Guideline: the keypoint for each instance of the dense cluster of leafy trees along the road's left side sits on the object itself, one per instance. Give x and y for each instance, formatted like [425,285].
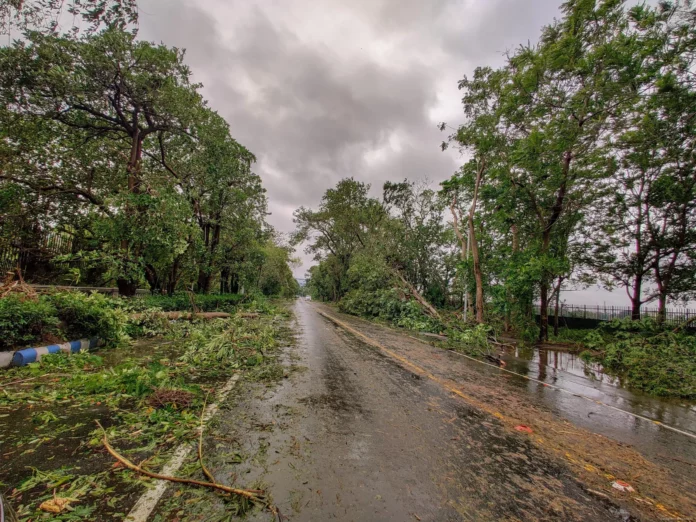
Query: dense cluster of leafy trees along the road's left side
[105,141]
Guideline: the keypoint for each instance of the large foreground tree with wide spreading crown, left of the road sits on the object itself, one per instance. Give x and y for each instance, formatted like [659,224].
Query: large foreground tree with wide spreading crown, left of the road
[107,89]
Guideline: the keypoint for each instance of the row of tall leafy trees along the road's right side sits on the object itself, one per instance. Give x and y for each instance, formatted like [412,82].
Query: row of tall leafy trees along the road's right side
[581,166]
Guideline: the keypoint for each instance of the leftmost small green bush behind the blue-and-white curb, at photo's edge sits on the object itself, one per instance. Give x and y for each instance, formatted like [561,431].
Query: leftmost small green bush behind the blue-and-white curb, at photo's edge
[25,321]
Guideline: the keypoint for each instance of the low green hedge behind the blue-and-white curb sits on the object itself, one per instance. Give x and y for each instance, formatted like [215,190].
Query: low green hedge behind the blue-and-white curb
[63,316]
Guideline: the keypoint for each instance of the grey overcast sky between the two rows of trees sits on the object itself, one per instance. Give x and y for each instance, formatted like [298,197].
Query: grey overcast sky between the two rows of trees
[322,91]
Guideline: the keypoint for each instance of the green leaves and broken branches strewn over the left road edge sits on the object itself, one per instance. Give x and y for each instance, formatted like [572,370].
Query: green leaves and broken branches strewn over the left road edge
[148,406]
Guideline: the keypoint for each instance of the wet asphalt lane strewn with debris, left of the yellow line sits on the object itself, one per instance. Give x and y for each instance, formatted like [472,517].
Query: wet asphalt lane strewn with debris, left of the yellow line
[359,438]
